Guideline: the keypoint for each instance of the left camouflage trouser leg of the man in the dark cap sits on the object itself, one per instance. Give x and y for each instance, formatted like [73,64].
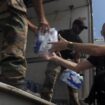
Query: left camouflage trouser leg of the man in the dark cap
[52,71]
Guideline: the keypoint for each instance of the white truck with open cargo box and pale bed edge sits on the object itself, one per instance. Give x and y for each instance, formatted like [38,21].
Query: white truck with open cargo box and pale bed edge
[61,14]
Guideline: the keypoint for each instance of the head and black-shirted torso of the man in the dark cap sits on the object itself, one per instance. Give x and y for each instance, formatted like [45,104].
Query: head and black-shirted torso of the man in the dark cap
[73,35]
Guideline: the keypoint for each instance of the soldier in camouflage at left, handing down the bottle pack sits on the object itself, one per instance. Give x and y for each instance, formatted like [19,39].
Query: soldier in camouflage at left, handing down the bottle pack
[14,27]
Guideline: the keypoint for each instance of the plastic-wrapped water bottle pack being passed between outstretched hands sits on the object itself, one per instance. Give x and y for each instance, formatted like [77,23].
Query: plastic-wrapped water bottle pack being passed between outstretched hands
[42,45]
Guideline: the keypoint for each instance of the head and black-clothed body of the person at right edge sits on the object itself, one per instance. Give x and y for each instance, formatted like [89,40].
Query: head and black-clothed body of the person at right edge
[99,79]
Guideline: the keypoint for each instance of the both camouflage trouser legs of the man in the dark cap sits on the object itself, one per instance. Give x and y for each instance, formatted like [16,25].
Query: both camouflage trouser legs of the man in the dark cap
[52,72]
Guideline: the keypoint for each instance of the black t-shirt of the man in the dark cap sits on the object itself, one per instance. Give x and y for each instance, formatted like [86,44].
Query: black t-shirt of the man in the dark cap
[70,36]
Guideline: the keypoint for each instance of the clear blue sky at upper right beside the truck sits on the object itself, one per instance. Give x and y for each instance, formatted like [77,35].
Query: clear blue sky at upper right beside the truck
[98,16]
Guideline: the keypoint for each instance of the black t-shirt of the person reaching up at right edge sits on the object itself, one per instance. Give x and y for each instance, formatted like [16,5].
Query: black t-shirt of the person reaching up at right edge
[99,63]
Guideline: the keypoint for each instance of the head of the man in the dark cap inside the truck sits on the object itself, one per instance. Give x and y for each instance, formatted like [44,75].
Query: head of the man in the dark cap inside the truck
[78,26]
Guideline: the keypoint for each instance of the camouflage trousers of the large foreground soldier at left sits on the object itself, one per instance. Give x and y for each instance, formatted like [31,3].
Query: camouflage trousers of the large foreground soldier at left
[13,38]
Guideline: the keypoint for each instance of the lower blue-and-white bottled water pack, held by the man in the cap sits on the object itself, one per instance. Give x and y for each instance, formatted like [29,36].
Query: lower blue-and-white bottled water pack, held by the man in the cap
[72,79]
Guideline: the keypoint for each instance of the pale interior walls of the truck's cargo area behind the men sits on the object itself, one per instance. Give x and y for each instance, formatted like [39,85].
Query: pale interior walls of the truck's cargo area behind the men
[60,14]
